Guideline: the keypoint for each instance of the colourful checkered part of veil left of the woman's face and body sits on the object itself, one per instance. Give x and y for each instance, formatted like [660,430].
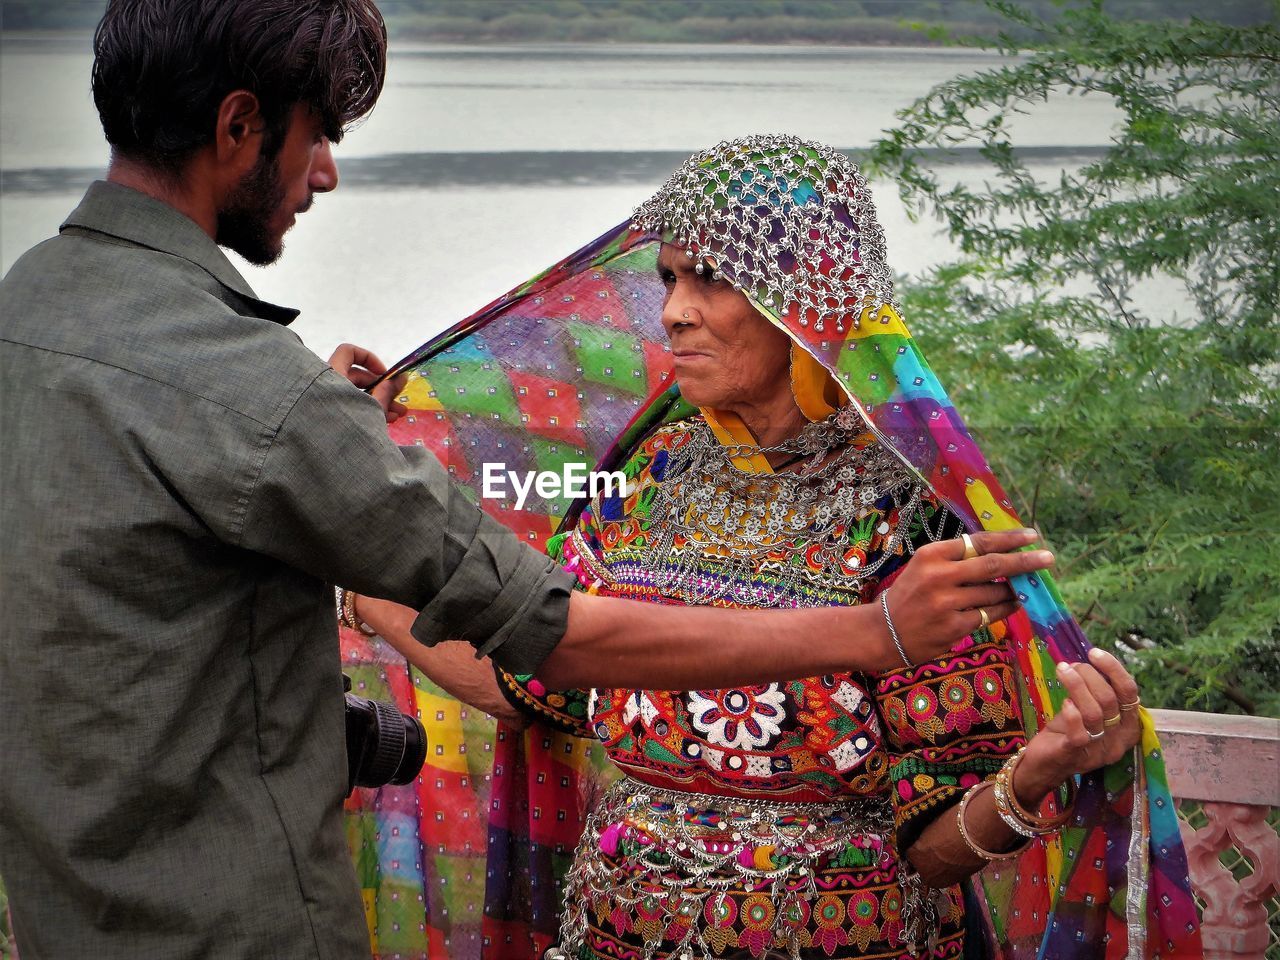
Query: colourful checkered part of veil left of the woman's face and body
[467,862]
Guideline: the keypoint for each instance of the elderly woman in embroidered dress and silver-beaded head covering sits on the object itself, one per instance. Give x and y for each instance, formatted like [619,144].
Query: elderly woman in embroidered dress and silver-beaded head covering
[834,816]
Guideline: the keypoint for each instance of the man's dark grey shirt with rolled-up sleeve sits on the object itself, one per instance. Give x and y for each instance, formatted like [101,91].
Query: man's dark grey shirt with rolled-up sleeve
[181,481]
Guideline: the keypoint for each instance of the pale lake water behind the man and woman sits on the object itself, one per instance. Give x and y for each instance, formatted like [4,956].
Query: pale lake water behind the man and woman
[482,166]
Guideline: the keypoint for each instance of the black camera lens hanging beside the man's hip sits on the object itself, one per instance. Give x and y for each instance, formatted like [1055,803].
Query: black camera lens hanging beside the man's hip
[383,744]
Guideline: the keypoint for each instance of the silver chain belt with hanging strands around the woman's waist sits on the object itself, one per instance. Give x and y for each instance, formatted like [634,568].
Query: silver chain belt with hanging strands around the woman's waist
[653,851]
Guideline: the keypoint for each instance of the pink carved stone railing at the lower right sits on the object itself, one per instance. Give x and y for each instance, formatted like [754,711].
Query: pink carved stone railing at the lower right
[1226,775]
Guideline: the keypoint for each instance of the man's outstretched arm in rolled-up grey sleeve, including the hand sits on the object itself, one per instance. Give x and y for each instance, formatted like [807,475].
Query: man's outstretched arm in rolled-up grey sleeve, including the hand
[424,545]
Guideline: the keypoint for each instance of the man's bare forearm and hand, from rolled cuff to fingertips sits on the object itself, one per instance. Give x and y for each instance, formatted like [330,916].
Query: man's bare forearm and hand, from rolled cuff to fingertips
[612,642]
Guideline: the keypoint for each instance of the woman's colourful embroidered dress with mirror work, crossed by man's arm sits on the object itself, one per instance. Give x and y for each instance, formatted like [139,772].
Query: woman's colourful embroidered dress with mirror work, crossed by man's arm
[771,817]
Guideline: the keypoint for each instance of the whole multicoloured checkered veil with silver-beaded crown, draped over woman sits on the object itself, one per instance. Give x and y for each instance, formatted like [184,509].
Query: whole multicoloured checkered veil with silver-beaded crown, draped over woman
[573,368]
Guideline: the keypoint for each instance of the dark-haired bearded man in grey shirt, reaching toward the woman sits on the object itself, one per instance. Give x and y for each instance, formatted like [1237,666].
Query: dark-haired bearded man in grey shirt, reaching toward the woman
[182,482]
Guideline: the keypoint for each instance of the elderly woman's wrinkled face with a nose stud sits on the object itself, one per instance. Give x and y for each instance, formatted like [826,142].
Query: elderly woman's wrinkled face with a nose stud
[728,356]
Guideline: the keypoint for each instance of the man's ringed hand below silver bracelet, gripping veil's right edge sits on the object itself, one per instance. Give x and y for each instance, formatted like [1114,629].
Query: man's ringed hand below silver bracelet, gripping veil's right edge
[939,597]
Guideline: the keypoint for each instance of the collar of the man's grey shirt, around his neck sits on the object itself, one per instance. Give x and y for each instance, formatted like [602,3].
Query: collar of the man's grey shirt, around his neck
[127,214]
